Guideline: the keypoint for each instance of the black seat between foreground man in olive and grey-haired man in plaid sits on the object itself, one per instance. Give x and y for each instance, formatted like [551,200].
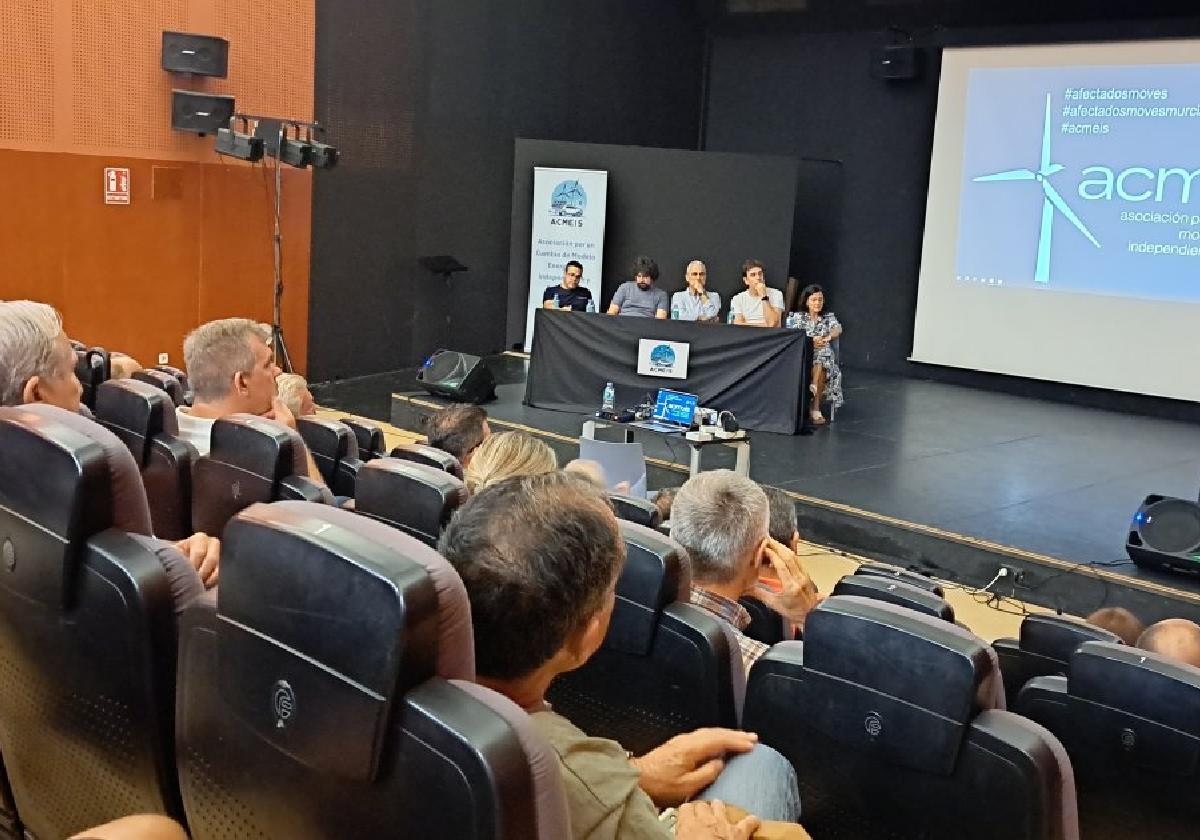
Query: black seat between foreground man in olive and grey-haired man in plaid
[665,667]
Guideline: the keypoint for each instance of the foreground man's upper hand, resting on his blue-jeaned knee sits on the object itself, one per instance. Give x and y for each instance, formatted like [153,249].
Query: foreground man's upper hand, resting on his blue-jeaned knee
[688,764]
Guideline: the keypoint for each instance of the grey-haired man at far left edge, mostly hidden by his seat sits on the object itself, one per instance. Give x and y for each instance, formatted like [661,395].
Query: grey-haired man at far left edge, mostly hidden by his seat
[38,367]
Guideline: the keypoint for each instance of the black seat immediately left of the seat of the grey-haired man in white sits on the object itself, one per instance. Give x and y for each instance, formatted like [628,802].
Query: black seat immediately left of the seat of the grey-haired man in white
[145,419]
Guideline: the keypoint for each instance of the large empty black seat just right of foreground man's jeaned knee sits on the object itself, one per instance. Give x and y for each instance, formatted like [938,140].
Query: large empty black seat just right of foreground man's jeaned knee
[890,718]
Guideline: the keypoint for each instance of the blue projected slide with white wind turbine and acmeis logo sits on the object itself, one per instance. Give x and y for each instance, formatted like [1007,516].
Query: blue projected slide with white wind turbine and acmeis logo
[1079,179]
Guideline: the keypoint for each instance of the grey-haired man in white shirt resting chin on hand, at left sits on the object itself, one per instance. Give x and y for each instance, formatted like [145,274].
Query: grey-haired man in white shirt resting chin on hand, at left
[231,370]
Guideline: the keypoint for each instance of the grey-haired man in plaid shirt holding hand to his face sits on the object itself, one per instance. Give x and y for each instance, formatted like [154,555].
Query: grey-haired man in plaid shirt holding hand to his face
[722,519]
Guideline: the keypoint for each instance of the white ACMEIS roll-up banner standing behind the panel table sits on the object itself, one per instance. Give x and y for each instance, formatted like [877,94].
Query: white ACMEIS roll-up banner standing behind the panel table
[568,224]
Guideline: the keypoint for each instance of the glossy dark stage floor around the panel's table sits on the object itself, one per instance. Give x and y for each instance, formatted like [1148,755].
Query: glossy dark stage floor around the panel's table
[1040,477]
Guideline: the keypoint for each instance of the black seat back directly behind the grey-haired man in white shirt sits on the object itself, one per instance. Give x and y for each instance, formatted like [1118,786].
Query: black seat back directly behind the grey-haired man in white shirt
[251,460]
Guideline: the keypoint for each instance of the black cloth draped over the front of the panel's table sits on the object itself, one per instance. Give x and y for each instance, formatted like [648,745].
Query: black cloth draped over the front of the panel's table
[760,375]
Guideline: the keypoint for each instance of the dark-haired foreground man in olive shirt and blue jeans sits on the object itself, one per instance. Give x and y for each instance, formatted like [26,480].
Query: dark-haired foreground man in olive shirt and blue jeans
[542,597]
